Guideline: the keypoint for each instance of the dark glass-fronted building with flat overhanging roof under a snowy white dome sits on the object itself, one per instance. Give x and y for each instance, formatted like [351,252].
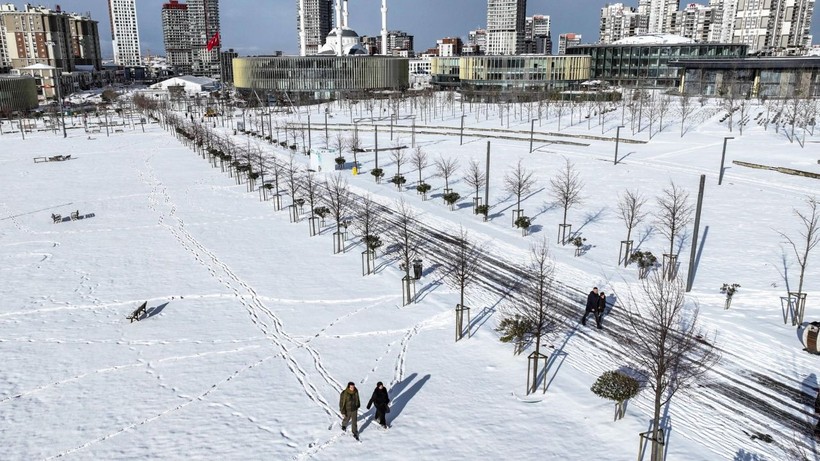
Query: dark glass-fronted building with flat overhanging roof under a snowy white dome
[647,65]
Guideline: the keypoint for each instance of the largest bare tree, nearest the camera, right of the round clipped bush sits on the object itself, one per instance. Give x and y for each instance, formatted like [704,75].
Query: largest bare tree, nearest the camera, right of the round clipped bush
[665,342]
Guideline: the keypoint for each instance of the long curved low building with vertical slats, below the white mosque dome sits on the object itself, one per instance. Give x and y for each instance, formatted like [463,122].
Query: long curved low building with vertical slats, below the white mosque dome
[308,78]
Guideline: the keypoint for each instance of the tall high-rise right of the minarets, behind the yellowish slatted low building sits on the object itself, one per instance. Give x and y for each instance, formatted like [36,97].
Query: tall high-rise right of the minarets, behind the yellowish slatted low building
[505,26]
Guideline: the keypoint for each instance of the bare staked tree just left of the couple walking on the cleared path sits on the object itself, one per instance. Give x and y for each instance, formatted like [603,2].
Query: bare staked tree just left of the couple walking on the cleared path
[532,313]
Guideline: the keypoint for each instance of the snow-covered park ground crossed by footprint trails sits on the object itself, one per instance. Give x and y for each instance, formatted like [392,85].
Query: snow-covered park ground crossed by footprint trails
[254,327]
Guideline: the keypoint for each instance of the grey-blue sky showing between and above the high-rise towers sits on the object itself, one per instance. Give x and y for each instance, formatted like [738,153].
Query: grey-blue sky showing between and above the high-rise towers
[264,26]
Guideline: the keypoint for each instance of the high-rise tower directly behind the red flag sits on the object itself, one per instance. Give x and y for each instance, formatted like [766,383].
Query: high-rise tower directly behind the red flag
[203,19]
